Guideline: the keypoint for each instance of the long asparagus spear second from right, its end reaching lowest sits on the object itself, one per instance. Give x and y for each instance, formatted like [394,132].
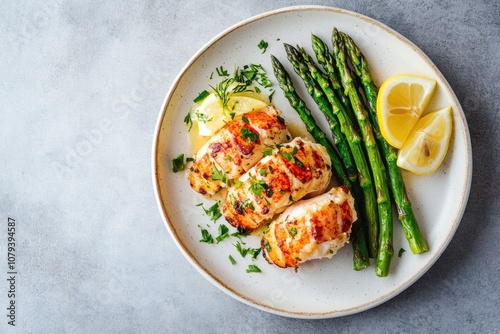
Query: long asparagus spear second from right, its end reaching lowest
[385,251]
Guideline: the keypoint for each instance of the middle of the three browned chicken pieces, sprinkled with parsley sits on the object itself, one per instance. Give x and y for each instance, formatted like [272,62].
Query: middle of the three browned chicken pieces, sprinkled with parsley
[291,172]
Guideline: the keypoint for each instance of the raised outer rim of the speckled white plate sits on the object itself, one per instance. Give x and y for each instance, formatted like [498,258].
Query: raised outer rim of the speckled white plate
[246,299]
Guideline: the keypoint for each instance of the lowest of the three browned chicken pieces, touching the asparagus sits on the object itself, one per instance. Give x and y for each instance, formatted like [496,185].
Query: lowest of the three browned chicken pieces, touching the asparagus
[310,229]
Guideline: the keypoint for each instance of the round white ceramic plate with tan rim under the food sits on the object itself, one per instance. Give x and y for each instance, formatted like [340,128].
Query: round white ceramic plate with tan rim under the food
[324,288]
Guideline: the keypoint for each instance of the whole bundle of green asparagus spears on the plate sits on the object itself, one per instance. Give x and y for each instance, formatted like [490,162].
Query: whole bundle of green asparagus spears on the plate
[361,158]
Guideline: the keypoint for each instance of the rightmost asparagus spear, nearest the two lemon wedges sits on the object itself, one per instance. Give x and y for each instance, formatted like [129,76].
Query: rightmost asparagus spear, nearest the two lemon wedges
[405,213]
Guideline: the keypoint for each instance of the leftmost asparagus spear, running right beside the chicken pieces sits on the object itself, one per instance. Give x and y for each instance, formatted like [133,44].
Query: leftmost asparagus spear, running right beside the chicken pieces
[360,256]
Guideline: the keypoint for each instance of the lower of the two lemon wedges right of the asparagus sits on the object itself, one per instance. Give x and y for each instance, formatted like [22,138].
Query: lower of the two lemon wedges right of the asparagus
[425,149]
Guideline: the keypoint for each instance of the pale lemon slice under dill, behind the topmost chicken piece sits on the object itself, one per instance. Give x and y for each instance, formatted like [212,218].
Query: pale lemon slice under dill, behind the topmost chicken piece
[211,116]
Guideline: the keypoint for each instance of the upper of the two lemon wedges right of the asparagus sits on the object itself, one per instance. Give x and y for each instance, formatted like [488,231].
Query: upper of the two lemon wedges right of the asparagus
[401,100]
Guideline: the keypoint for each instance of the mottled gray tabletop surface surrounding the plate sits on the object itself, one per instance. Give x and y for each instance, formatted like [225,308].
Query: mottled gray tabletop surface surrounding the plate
[81,84]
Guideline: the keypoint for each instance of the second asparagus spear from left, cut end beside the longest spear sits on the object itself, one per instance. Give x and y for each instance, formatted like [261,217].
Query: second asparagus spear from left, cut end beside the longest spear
[312,76]
